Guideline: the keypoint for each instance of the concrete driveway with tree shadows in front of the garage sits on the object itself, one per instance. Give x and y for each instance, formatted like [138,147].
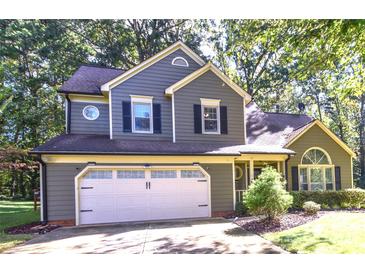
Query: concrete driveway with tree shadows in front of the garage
[203,236]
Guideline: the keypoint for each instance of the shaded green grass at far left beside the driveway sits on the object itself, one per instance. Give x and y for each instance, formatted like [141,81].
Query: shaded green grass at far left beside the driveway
[13,213]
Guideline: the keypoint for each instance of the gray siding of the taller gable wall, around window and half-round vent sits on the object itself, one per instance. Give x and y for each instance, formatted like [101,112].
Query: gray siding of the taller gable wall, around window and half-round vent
[151,82]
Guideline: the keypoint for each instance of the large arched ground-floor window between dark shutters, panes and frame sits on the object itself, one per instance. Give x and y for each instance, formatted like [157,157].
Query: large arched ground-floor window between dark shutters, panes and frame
[316,171]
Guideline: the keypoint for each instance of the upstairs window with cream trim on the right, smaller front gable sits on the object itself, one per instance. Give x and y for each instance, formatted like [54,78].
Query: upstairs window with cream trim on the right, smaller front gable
[210,116]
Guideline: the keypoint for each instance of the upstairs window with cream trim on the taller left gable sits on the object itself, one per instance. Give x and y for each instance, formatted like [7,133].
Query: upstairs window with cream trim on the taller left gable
[142,120]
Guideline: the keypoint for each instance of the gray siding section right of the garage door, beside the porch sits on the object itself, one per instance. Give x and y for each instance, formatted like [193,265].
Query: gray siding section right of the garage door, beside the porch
[221,186]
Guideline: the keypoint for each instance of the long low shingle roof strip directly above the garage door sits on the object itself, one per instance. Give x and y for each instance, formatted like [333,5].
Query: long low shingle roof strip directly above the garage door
[101,144]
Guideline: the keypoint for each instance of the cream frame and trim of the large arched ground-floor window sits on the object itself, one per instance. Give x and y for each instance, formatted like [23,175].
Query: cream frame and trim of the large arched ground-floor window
[323,167]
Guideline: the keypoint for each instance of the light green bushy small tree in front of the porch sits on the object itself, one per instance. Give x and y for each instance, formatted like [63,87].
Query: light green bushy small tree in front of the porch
[267,195]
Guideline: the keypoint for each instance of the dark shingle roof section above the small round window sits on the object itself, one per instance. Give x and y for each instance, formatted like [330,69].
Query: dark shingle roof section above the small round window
[89,79]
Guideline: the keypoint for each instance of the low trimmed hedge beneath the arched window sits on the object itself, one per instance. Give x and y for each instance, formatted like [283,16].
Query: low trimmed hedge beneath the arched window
[349,198]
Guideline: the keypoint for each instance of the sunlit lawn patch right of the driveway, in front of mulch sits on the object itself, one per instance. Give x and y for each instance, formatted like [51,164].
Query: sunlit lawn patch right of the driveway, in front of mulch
[337,232]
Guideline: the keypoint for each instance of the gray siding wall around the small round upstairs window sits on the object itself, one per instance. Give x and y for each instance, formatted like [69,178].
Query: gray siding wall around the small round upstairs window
[80,125]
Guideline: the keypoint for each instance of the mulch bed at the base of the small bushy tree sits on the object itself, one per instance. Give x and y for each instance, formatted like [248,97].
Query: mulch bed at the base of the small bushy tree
[260,226]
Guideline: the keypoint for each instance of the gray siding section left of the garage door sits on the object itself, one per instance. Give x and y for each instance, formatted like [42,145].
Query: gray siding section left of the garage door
[61,190]
